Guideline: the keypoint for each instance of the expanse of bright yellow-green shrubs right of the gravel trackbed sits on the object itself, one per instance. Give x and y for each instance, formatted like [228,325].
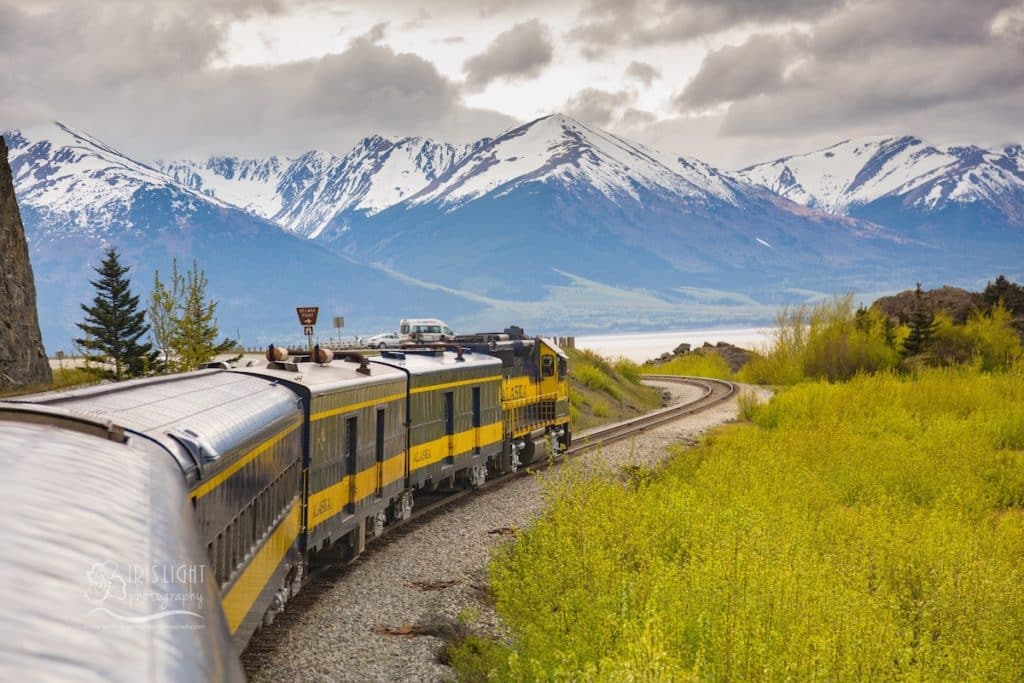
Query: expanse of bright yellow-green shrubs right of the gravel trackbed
[867,531]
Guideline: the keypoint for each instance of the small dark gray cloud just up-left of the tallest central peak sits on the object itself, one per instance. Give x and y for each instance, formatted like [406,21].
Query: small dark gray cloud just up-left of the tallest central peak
[523,52]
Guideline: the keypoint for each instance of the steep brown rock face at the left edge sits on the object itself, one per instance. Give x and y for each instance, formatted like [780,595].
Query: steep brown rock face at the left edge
[23,360]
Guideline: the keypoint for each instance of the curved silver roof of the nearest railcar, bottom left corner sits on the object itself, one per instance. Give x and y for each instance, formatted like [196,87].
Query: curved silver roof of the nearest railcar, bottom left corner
[96,534]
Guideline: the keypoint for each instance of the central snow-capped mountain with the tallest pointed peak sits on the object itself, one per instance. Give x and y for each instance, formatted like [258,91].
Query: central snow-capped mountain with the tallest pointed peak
[558,194]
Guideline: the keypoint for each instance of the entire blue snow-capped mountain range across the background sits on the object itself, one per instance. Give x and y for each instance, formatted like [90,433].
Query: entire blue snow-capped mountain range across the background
[553,225]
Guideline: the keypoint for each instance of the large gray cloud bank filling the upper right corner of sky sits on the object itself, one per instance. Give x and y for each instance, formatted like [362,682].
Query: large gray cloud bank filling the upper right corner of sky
[900,67]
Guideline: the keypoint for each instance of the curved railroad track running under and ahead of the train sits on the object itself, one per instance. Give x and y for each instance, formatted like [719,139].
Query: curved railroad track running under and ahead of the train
[324,576]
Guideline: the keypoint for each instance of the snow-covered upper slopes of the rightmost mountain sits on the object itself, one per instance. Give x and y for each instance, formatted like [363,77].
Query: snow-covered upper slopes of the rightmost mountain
[857,178]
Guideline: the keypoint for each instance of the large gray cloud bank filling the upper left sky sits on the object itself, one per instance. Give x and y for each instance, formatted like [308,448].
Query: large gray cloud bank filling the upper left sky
[165,101]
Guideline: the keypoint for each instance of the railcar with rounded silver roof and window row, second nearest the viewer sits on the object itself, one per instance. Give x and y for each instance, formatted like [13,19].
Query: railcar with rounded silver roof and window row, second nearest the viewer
[238,441]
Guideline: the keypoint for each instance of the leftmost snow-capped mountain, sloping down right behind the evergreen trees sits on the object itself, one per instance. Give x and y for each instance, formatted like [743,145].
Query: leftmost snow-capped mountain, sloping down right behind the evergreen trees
[78,195]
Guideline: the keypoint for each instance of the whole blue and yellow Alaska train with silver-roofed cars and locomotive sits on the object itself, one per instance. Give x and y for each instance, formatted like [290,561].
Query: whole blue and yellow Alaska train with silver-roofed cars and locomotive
[186,510]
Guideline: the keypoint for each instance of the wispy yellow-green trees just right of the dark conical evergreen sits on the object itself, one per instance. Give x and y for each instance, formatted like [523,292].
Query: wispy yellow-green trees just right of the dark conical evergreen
[185,321]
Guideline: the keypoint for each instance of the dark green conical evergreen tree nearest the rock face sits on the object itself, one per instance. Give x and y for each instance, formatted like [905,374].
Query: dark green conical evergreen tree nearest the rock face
[114,324]
